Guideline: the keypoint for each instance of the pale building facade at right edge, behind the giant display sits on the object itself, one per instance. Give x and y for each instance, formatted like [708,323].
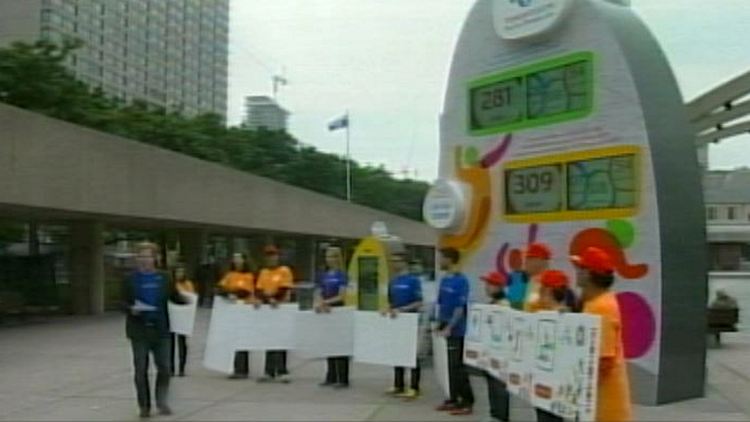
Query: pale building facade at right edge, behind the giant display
[727,196]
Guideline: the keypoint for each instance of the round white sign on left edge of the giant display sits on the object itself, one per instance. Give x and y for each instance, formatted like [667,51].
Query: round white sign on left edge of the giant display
[445,205]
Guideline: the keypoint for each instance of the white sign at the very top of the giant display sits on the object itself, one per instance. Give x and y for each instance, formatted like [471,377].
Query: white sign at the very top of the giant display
[517,19]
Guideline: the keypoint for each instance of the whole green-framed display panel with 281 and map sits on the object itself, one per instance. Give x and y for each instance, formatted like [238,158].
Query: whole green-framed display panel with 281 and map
[549,92]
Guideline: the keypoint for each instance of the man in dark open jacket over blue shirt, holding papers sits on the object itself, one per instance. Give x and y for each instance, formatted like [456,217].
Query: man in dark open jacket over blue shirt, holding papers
[145,295]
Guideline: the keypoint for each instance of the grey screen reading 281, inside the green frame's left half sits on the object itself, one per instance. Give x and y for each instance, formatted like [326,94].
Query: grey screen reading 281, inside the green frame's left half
[499,103]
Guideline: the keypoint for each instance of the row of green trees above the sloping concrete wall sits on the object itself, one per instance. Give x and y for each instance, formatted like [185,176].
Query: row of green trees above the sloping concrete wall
[34,77]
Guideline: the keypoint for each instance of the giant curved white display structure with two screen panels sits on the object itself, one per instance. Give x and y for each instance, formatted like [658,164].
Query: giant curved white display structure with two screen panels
[563,123]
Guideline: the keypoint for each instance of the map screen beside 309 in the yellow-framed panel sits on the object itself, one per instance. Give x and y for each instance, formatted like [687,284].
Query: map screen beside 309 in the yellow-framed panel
[602,183]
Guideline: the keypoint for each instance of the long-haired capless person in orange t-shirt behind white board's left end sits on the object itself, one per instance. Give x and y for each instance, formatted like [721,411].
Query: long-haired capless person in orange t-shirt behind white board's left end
[239,284]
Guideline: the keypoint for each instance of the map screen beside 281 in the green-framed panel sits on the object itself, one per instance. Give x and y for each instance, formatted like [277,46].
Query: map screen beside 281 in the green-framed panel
[559,90]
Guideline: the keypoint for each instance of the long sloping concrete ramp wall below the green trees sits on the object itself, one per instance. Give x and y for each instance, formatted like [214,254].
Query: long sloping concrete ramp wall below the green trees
[65,170]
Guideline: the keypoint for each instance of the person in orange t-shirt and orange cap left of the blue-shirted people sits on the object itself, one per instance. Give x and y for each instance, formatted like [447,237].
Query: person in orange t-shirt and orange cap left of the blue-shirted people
[274,286]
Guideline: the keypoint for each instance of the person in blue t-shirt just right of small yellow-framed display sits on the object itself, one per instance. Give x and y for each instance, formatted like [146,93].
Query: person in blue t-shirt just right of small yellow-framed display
[404,295]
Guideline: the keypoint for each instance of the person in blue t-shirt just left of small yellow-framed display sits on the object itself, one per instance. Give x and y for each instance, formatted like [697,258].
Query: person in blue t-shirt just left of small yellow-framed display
[332,290]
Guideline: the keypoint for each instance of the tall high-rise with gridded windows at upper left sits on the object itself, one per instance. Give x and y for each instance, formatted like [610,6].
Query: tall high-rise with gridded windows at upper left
[169,53]
